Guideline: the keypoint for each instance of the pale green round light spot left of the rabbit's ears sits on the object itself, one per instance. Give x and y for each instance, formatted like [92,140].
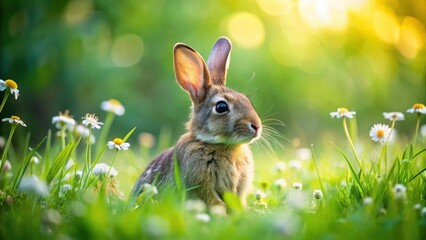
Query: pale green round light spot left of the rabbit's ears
[127,50]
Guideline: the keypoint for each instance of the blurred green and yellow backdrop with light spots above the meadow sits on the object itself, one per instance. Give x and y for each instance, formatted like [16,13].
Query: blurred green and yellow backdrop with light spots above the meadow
[298,60]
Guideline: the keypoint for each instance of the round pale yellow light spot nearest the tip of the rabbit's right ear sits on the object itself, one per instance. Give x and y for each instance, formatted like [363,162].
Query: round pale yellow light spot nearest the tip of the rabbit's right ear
[246,30]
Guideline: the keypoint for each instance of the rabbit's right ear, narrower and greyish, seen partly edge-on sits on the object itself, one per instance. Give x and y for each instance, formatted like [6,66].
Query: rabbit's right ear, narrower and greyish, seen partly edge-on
[219,60]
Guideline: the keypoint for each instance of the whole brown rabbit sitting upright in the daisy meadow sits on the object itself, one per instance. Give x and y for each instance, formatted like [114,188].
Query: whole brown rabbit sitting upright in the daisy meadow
[213,156]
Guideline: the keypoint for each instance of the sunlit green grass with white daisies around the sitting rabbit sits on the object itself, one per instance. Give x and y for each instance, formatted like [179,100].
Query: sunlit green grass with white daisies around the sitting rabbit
[75,183]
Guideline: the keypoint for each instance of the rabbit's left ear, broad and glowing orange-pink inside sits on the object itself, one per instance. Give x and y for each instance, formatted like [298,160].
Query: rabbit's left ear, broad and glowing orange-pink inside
[191,71]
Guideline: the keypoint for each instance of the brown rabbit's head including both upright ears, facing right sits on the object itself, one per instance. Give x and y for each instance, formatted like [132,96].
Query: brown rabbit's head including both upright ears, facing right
[219,115]
